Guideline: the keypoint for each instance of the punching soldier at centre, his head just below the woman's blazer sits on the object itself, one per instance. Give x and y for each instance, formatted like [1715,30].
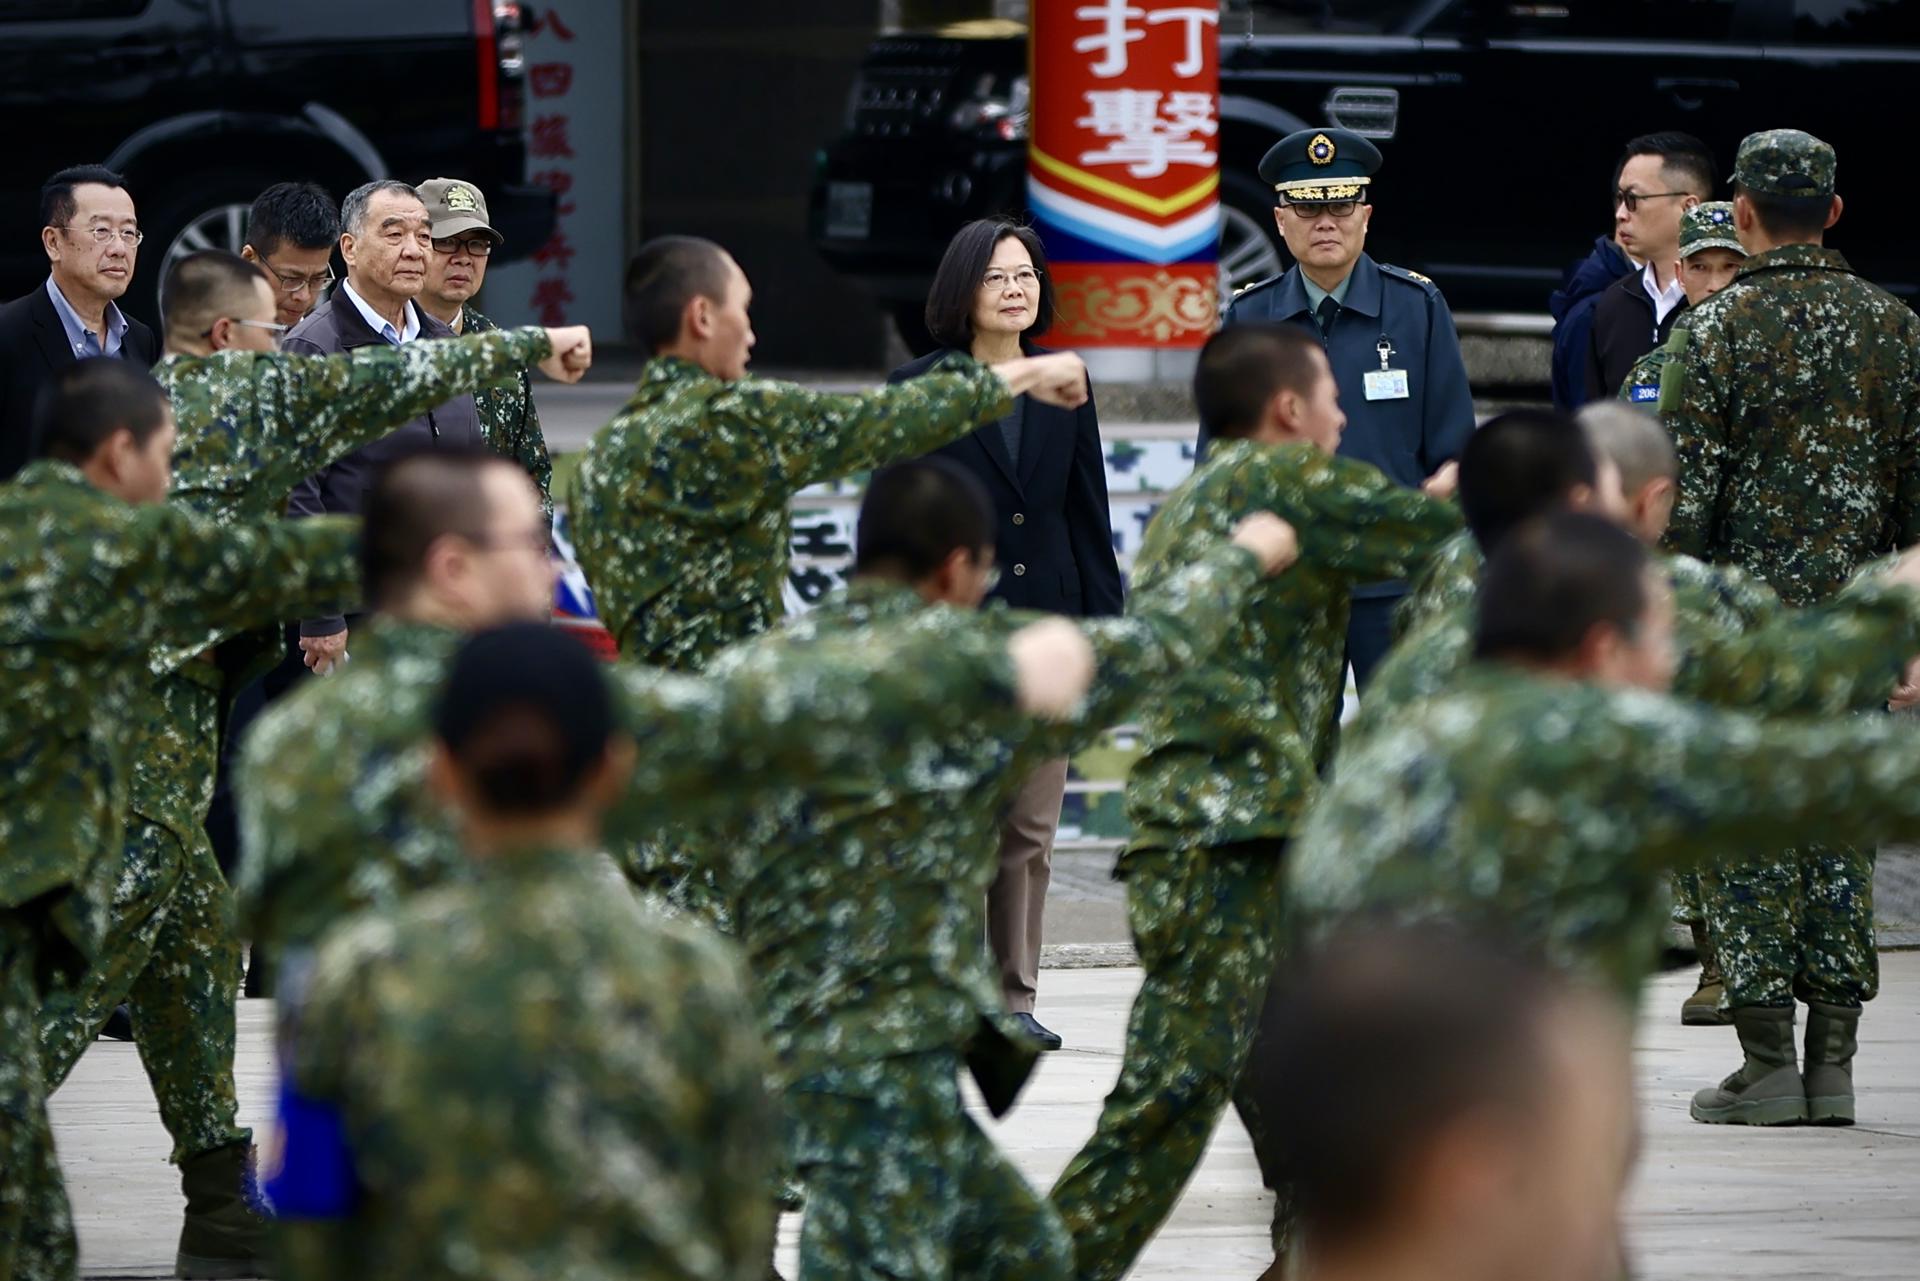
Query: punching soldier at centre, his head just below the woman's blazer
[863,917]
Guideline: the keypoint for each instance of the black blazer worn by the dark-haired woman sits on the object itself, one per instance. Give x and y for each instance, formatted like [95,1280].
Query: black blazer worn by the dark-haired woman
[1055,531]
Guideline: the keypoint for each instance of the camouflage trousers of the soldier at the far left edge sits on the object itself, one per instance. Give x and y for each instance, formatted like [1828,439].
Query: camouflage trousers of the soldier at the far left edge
[36,1221]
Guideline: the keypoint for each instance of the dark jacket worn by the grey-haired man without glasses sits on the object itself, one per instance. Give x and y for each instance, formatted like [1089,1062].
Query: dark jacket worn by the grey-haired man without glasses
[337,326]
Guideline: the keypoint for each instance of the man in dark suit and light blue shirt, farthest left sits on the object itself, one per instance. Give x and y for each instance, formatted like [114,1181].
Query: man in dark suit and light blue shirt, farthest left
[91,239]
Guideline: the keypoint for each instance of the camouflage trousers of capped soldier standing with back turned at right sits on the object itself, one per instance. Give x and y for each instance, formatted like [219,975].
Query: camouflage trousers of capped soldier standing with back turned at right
[1796,925]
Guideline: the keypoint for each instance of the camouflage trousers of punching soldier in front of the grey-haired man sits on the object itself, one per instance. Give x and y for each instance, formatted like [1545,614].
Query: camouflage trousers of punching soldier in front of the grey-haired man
[174,957]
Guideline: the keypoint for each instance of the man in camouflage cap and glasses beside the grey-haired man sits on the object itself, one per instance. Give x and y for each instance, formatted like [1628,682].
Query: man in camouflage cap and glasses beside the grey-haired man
[456,270]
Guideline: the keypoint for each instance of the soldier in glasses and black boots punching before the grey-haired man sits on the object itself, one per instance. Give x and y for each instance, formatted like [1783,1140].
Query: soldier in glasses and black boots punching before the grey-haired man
[251,427]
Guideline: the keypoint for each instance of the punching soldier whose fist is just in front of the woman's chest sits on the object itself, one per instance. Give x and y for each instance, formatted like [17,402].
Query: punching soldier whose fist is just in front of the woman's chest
[681,510]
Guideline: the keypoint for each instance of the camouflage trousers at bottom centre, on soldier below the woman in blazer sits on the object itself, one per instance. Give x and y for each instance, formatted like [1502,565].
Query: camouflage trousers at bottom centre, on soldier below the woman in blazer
[903,1186]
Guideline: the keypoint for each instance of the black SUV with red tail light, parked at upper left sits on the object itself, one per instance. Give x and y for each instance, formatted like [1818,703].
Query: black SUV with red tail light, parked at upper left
[206,103]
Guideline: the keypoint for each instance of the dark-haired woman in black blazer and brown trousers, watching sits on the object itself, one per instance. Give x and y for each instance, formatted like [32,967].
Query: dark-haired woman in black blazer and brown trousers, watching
[1055,535]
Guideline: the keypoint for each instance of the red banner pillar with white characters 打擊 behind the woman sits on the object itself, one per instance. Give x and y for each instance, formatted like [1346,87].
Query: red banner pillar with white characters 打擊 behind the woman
[1124,168]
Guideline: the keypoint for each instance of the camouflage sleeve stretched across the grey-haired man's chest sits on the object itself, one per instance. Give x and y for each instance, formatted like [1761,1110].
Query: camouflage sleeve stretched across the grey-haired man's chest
[318,408]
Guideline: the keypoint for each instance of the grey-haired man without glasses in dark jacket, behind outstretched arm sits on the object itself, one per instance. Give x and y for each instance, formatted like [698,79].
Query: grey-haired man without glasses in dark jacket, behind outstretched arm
[385,241]
